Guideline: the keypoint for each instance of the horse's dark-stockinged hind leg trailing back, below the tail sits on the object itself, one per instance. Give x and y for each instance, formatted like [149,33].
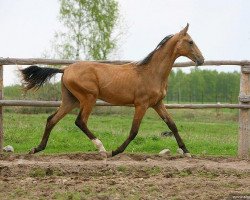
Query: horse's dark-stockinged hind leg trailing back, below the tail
[68,103]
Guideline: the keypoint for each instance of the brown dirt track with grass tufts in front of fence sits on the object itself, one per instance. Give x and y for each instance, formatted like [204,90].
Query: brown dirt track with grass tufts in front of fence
[86,176]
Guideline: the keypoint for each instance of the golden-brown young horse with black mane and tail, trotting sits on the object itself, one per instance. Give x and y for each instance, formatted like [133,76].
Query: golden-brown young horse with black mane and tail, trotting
[142,84]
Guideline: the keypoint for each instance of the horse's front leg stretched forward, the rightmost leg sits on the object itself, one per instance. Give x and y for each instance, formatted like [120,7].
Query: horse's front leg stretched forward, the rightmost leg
[162,112]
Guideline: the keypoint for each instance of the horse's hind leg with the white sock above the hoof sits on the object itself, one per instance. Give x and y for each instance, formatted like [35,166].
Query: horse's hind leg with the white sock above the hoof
[86,106]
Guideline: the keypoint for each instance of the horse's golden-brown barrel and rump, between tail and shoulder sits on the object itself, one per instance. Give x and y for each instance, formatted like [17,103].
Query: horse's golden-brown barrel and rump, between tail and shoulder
[111,83]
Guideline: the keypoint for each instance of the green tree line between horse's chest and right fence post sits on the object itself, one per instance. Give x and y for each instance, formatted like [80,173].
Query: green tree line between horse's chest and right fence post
[203,86]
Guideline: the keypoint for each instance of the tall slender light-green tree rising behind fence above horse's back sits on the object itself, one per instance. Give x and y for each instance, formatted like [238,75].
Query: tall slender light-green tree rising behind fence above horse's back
[89,27]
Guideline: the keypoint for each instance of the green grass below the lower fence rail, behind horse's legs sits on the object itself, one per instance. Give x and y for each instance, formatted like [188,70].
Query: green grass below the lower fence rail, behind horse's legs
[205,132]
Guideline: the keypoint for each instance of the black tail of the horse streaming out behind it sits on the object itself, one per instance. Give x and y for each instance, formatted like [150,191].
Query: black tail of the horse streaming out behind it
[34,77]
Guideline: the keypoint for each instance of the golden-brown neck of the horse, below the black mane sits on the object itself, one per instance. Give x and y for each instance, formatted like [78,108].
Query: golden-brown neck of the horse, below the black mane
[162,62]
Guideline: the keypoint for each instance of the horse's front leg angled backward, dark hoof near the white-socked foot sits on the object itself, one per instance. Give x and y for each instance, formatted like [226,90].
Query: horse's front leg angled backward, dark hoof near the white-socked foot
[139,113]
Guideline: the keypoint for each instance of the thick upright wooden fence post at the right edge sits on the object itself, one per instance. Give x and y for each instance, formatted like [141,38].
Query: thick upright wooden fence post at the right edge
[244,114]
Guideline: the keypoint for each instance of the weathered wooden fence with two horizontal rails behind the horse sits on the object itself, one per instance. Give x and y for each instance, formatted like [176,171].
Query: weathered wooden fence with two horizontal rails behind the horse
[244,95]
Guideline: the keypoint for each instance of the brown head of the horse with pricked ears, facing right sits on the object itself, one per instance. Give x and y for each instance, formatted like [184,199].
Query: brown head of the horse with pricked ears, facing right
[187,47]
